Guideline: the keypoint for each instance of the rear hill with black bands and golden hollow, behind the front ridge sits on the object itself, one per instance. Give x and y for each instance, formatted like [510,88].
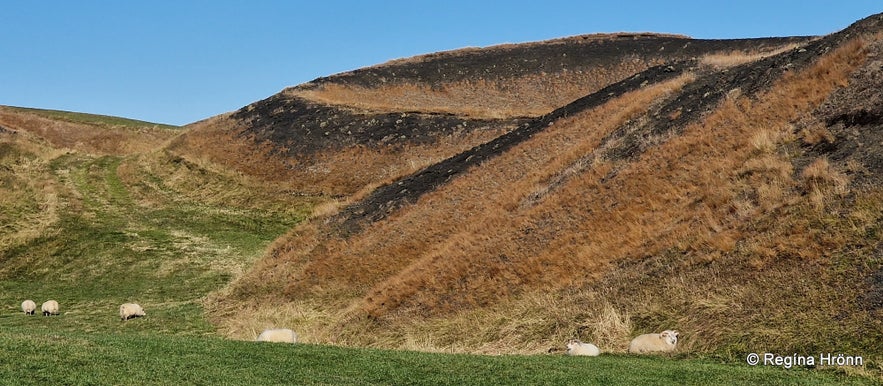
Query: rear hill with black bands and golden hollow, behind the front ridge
[346,134]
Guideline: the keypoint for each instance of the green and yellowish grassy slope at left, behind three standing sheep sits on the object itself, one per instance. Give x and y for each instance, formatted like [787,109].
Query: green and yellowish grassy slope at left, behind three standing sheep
[97,231]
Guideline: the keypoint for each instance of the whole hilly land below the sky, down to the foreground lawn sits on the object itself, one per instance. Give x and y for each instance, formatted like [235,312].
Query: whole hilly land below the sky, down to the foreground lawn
[496,200]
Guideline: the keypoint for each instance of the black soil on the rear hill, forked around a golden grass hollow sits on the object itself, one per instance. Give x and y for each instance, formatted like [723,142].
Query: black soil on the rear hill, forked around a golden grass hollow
[304,128]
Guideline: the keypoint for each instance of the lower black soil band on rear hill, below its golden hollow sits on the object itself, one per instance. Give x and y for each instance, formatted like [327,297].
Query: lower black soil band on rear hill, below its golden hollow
[304,128]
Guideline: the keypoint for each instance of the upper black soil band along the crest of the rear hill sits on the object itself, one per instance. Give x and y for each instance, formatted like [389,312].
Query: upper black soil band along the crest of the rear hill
[582,53]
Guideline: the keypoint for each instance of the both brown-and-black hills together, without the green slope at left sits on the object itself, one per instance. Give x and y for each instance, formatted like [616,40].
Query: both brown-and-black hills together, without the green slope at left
[726,188]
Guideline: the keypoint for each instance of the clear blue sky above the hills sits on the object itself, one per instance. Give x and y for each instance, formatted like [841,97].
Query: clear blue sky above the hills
[181,61]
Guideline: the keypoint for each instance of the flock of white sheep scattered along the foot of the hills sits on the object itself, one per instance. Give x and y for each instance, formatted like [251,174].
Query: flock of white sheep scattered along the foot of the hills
[665,341]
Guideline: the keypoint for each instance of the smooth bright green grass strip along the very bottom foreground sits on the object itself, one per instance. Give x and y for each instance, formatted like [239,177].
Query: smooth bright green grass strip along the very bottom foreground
[36,354]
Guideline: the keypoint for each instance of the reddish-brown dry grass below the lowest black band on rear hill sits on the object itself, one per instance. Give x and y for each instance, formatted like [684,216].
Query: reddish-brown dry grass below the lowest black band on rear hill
[216,144]
